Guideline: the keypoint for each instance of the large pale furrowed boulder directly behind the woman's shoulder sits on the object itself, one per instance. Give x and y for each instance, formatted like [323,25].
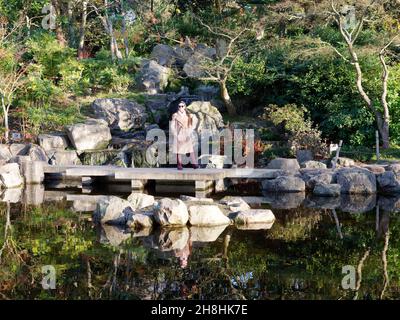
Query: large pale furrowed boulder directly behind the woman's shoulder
[209,118]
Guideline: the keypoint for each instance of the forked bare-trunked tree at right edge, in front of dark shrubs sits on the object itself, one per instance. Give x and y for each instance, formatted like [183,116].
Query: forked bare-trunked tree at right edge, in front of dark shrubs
[350,33]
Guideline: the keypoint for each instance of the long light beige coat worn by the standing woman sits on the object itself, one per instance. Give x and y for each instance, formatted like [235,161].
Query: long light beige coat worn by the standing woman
[182,133]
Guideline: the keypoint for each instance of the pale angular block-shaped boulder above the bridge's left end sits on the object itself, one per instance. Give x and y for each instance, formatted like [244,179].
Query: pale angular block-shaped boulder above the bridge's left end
[94,134]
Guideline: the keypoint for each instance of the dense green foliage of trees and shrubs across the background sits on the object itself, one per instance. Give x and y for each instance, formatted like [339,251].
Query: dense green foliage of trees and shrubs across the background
[292,54]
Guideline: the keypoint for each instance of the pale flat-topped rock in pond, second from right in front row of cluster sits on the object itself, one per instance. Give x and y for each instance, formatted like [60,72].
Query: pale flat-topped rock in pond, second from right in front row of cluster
[207,215]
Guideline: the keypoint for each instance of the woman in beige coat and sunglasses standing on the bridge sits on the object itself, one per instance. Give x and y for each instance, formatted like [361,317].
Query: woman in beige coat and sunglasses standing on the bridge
[182,126]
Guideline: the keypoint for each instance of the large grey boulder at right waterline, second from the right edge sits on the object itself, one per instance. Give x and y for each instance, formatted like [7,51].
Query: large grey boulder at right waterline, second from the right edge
[356,181]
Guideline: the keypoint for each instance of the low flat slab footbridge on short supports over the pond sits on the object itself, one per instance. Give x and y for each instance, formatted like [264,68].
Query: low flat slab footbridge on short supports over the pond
[205,180]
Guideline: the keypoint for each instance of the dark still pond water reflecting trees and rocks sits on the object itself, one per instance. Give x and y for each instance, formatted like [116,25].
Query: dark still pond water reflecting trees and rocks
[314,248]
